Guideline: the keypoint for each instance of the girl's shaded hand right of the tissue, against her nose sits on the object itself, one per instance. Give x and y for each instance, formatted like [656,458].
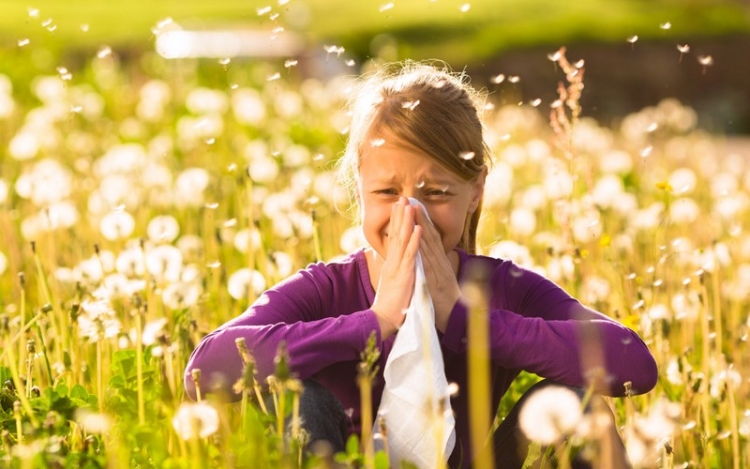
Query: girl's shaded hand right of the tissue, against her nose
[441,278]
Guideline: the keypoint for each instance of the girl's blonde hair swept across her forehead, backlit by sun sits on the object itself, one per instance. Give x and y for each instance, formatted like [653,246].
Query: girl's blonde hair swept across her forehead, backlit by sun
[430,108]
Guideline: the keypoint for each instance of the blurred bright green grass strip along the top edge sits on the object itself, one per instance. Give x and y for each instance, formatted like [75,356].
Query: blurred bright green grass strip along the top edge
[422,28]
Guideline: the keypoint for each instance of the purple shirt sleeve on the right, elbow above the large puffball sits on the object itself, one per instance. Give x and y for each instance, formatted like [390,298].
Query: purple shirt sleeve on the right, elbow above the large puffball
[534,325]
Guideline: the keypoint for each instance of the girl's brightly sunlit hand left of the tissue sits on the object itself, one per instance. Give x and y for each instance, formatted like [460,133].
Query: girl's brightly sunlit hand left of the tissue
[397,273]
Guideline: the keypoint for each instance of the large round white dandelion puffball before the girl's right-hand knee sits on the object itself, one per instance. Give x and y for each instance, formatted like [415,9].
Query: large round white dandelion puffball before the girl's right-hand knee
[550,414]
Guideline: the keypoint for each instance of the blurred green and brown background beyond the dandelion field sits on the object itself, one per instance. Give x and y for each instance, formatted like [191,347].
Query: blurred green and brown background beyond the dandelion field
[630,46]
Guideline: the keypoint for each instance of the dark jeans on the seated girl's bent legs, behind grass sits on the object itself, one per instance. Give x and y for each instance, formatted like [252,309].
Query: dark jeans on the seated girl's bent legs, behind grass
[325,421]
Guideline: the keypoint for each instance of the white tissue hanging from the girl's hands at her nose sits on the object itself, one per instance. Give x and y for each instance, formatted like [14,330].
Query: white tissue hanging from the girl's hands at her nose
[415,404]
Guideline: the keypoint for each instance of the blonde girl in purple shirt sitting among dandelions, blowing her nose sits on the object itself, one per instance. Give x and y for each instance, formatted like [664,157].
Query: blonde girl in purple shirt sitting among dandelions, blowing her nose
[416,132]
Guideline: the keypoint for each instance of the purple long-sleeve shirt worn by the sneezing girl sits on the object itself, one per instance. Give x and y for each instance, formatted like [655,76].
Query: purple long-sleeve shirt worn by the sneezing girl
[323,314]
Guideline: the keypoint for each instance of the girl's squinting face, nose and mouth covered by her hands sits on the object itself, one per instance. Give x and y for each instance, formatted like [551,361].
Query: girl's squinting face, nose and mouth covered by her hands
[392,170]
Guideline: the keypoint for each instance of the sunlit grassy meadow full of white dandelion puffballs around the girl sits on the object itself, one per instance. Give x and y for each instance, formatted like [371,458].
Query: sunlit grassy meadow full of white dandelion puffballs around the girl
[144,202]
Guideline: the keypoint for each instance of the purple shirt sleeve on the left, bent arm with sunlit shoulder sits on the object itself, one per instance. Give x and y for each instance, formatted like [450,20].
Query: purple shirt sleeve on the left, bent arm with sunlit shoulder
[299,311]
